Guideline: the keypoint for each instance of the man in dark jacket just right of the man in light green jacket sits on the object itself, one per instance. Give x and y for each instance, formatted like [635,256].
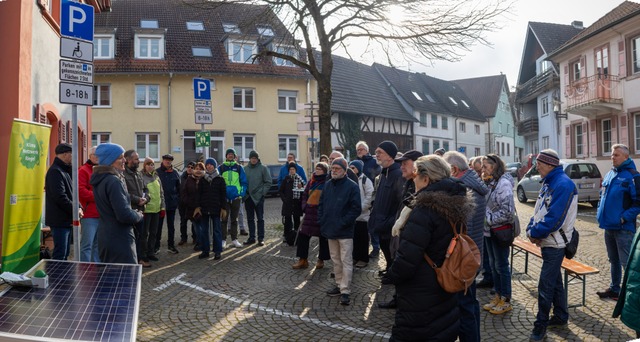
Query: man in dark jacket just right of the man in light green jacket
[171,186]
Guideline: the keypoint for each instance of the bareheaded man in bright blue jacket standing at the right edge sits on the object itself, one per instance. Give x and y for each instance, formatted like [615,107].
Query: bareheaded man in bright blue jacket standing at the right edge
[617,211]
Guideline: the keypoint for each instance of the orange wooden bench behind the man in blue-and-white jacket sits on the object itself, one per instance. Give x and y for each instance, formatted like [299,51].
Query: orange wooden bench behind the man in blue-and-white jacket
[574,271]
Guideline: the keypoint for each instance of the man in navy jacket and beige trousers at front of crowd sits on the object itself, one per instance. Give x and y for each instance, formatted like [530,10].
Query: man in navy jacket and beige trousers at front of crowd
[339,208]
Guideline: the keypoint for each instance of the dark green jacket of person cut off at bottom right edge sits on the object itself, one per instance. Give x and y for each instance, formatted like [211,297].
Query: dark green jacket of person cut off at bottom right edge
[628,305]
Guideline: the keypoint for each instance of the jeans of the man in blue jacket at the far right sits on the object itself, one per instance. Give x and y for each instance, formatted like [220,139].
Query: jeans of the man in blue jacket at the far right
[618,244]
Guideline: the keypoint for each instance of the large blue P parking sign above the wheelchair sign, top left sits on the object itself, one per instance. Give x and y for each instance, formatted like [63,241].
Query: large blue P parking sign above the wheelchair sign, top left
[76,20]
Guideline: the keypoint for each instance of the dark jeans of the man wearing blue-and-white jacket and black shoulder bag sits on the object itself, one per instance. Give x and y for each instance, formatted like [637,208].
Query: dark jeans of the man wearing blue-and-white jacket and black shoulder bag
[550,287]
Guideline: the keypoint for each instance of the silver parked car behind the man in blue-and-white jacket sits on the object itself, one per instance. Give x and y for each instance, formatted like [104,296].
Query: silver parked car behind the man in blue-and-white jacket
[584,174]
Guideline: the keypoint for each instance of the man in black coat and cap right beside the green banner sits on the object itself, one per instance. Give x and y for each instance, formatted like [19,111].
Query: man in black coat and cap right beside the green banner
[59,201]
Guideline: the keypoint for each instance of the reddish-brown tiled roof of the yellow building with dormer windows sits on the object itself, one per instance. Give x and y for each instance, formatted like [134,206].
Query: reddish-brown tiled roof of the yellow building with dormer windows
[172,16]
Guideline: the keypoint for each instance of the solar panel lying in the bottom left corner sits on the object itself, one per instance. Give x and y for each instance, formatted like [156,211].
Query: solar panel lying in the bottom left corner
[84,302]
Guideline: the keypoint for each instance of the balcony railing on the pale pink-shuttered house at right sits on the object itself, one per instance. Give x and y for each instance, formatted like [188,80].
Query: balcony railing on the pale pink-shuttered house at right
[593,92]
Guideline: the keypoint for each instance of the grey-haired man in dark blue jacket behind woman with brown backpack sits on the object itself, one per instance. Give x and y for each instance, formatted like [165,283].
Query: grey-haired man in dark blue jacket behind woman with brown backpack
[468,303]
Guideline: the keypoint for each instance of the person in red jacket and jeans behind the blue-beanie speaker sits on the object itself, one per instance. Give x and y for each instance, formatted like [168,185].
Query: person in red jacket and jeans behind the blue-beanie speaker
[89,221]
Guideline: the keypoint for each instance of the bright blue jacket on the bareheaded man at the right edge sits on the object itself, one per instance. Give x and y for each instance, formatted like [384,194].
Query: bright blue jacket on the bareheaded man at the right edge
[620,198]
